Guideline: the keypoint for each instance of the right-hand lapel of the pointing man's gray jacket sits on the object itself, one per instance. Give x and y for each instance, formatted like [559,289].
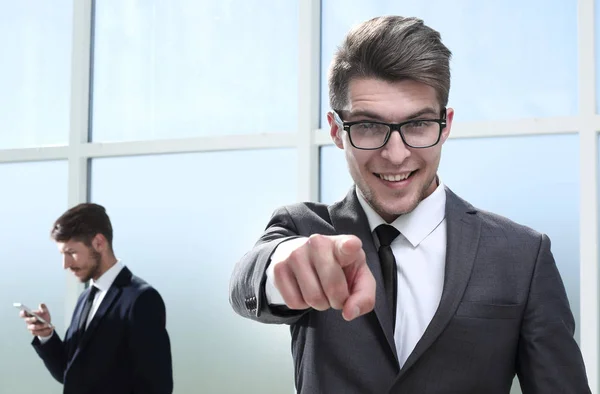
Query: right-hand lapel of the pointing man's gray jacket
[463,231]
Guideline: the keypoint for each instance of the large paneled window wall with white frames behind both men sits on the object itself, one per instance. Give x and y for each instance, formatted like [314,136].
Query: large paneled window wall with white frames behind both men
[225,87]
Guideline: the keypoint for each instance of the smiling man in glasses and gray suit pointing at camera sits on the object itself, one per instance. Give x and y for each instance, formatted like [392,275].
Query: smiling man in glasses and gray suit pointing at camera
[404,287]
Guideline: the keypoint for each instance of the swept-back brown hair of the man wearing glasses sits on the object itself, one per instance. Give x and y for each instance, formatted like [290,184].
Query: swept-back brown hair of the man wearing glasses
[391,48]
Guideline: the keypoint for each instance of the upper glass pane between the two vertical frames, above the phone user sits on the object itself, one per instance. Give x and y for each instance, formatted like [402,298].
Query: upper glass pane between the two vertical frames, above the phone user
[185,68]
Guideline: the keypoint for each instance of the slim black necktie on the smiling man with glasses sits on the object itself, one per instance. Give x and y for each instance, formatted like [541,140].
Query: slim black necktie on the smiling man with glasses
[386,235]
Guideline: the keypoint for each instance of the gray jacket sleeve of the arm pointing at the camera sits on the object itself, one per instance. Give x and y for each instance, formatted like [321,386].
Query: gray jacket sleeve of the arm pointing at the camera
[247,286]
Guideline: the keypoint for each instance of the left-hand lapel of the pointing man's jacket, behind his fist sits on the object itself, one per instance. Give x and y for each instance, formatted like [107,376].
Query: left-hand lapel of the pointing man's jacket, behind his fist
[348,217]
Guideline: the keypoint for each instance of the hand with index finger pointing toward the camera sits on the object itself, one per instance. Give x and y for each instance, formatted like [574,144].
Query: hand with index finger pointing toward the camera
[325,272]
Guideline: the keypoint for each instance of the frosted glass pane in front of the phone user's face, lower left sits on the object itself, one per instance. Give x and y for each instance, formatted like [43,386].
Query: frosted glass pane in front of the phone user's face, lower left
[34,195]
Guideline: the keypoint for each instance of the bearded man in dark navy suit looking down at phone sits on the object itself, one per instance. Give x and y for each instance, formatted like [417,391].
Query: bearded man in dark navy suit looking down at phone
[117,341]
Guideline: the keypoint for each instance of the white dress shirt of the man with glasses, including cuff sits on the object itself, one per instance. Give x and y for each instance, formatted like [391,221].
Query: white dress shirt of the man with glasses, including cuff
[420,252]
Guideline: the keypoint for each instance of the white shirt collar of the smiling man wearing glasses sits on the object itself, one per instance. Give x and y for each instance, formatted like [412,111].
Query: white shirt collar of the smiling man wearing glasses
[415,226]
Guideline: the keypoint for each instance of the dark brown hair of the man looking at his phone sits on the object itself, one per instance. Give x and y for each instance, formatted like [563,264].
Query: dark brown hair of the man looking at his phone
[82,223]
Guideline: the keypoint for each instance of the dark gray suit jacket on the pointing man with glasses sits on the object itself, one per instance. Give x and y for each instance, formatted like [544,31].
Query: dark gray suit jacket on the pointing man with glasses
[503,311]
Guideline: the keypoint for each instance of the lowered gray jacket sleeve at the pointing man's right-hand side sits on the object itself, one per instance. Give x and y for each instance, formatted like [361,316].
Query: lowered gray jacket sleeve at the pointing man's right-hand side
[549,359]
